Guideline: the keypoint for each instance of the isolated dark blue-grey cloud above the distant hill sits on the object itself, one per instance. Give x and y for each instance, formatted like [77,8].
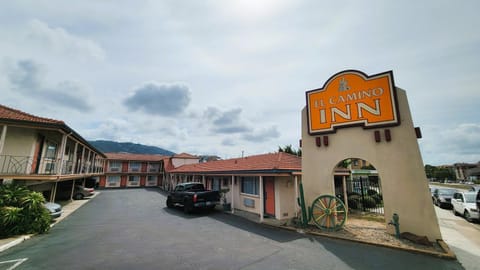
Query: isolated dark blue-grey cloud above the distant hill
[159,99]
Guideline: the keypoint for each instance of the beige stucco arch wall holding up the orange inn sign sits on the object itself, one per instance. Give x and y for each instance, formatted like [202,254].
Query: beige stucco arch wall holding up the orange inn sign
[398,162]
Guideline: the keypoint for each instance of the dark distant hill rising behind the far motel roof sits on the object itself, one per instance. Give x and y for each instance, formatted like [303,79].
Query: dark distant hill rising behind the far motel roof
[127,147]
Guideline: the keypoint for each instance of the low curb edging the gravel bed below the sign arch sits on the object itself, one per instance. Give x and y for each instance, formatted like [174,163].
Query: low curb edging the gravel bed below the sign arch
[448,253]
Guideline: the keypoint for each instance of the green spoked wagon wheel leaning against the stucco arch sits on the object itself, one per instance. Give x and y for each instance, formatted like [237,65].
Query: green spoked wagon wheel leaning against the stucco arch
[328,212]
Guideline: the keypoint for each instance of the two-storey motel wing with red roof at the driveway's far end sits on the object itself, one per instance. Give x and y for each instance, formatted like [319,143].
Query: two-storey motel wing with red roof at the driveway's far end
[132,170]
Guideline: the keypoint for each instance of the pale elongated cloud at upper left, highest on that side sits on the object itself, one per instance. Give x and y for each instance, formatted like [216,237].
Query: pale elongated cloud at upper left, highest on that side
[60,41]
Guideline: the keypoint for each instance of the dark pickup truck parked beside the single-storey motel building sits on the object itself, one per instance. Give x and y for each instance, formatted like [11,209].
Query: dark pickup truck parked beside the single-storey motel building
[193,195]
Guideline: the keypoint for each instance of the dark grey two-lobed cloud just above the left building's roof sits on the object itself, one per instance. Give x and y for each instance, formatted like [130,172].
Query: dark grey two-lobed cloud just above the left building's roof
[26,77]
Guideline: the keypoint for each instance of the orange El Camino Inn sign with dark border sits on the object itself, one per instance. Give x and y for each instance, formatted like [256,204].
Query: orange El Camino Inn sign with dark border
[351,98]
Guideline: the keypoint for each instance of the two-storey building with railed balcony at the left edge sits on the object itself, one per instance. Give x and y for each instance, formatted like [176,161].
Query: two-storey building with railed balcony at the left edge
[44,153]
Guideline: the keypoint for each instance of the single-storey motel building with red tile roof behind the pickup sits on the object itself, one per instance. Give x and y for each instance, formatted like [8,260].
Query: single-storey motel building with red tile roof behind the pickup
[265,185]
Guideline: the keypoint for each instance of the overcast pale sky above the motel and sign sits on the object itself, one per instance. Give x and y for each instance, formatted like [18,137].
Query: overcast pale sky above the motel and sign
[228,78]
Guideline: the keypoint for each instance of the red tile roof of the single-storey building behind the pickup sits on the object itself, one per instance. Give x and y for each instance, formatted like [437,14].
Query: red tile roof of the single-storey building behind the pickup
[266,162]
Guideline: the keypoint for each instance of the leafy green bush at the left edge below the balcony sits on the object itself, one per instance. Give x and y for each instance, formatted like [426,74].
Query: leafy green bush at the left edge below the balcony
[22,211]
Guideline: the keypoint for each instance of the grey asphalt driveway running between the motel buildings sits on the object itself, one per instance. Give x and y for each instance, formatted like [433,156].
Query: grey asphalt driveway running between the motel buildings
[133,229]
